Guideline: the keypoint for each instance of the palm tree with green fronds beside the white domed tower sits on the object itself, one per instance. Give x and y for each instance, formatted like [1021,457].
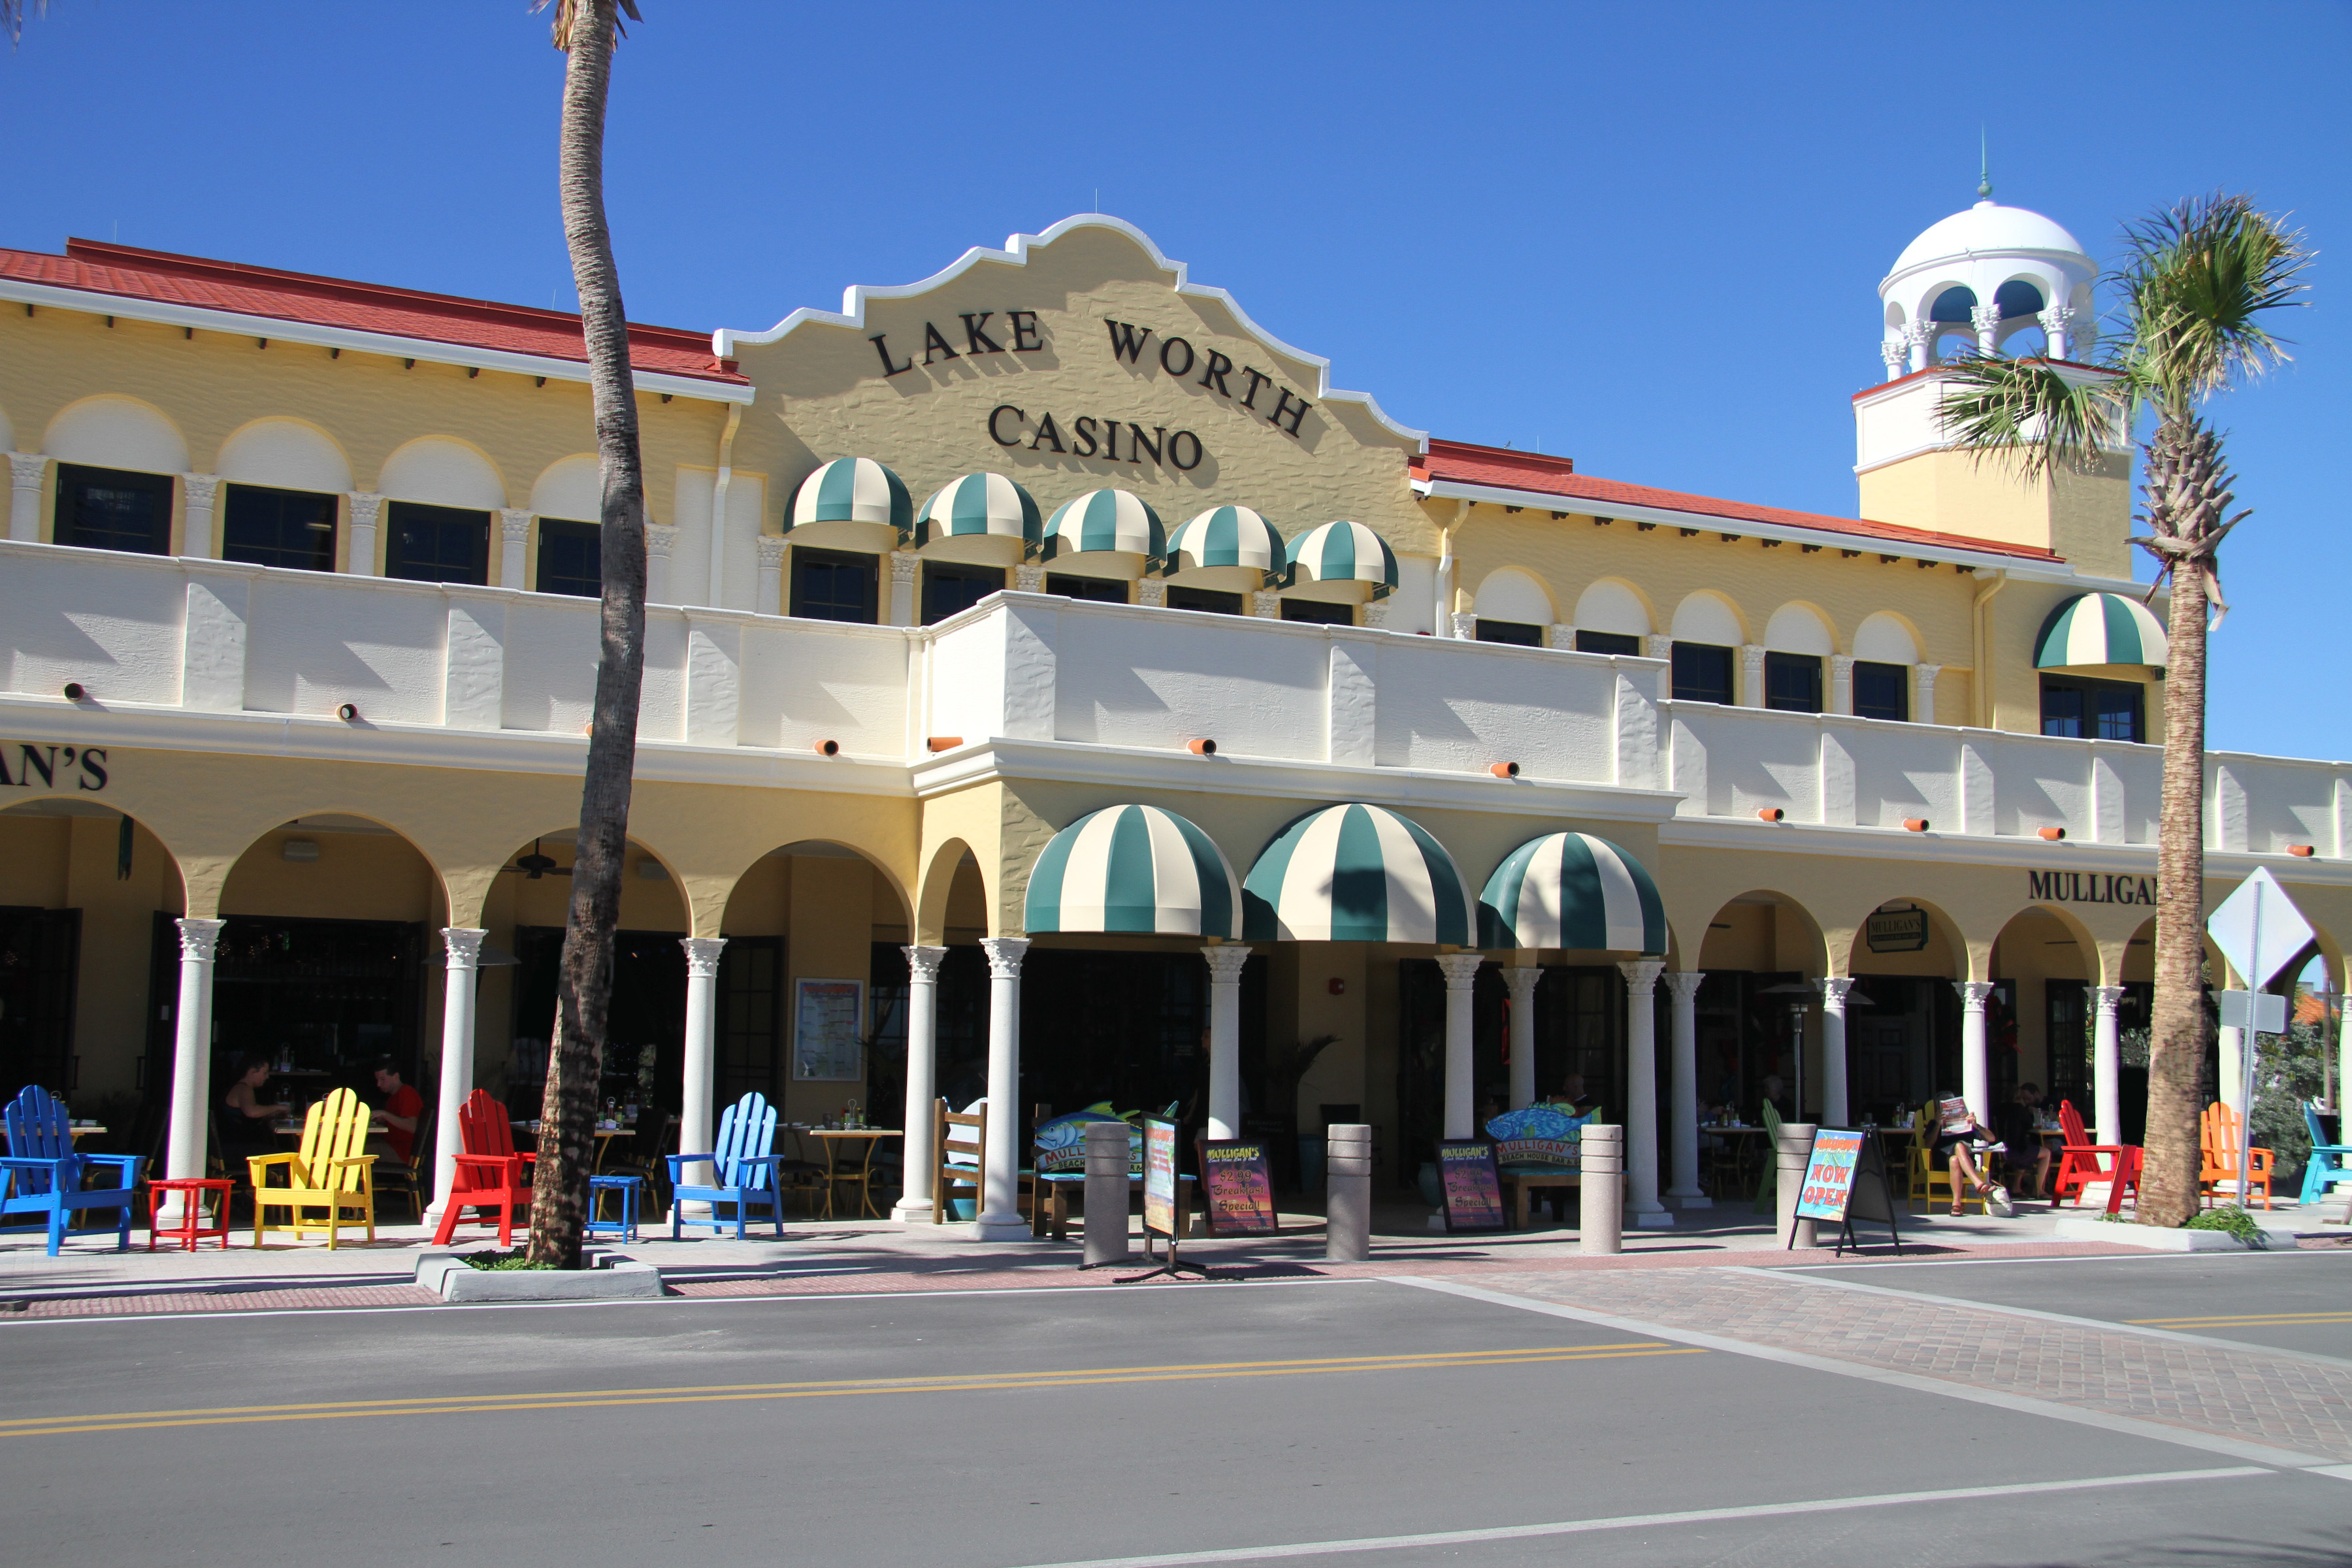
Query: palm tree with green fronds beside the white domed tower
[2198,286]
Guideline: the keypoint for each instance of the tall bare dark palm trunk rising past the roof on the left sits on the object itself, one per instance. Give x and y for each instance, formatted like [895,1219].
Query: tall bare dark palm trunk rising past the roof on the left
[584,984]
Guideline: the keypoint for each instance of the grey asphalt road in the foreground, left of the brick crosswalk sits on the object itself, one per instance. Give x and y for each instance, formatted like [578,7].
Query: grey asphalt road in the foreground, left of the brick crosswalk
[1005,1430]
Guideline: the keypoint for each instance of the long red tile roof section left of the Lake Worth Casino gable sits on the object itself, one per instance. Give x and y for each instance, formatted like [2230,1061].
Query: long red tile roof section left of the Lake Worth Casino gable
[354,307]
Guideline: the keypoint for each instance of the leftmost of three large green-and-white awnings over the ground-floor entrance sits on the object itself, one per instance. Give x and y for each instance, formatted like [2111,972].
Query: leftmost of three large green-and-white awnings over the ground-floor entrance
[1132,869]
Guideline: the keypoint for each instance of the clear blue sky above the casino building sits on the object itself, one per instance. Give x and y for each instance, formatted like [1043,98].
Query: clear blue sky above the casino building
[1638,236]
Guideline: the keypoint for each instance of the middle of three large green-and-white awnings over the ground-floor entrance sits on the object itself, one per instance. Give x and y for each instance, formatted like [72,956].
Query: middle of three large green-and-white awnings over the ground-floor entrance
[1356,876]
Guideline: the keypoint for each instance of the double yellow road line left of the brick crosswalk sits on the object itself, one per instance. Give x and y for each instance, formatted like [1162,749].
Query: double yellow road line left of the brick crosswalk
[973,1383]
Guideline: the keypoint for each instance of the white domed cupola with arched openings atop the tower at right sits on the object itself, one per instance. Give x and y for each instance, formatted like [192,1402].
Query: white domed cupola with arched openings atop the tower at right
[1977,281]
